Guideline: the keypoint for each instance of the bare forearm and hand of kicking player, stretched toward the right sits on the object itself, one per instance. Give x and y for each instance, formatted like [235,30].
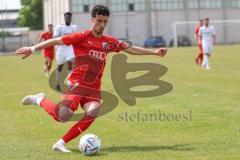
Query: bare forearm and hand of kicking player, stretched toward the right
[136,50]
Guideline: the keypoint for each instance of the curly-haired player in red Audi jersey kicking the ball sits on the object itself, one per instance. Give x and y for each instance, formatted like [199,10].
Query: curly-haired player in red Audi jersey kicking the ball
[90,59]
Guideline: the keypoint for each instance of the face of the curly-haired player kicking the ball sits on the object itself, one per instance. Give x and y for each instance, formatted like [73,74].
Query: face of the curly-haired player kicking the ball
[99,23]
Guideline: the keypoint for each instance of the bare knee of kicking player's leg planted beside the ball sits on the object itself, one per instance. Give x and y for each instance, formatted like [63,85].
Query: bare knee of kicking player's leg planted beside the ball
[92,109]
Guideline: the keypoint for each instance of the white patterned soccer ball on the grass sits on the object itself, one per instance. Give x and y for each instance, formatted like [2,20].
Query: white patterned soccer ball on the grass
[89,144]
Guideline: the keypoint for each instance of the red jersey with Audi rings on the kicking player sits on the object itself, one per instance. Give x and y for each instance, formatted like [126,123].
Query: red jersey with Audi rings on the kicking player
[90,57]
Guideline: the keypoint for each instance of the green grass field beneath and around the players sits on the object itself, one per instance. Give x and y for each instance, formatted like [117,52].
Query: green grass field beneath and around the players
[212,97]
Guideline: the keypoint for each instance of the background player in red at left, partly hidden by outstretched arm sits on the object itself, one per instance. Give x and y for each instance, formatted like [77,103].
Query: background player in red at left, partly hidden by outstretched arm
[48,52]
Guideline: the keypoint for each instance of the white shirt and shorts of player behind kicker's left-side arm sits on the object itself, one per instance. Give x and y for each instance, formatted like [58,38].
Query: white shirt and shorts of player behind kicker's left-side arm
[64,53]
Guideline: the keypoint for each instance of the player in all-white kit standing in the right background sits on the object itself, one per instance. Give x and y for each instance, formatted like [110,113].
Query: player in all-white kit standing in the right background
[208,36]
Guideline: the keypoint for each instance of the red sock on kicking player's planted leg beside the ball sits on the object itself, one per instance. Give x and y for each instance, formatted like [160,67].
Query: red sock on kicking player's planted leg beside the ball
[78,128]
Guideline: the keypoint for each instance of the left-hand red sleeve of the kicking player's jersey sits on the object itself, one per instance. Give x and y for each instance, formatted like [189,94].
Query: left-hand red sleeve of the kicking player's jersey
[73,38]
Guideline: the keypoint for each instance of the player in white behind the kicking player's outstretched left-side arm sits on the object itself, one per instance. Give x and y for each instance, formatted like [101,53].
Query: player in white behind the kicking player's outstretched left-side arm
[64,52]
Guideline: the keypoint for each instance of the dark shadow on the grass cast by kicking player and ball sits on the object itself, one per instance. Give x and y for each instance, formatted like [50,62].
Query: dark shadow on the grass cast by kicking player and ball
[111,149]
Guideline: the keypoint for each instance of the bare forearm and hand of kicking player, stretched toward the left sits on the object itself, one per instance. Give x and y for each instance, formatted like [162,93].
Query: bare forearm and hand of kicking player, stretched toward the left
[27,51]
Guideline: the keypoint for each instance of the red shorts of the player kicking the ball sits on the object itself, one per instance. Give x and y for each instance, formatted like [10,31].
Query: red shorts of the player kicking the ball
[80,95]
